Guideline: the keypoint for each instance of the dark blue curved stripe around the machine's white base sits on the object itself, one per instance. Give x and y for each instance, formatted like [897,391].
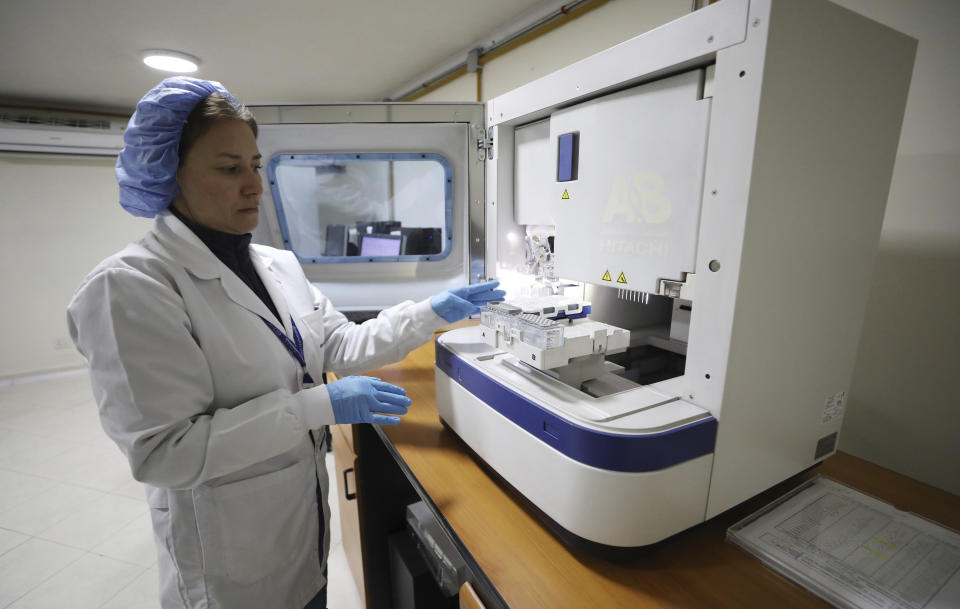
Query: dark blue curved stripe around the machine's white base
[616,452]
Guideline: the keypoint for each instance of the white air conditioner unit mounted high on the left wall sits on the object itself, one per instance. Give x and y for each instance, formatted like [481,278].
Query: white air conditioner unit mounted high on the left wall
[25,130]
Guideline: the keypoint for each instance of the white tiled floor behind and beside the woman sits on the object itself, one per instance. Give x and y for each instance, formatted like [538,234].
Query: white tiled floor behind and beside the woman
[74,526]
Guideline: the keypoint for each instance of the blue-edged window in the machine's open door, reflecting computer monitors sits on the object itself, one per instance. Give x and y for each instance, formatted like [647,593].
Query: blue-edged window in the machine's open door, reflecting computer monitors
[363,207]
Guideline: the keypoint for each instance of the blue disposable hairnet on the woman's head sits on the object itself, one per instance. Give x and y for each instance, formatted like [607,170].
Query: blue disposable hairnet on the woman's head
[147,165]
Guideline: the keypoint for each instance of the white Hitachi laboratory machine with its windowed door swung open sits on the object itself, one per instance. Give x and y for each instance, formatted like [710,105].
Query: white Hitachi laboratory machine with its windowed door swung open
[686,226]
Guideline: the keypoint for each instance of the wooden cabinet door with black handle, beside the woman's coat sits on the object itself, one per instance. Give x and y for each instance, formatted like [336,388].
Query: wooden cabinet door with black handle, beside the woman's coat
[345,460]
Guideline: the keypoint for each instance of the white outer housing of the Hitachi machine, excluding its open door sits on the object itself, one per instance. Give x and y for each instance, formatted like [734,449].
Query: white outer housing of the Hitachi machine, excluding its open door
[749,145]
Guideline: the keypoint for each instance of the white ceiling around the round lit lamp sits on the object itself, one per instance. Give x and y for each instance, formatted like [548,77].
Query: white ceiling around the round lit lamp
[85,54]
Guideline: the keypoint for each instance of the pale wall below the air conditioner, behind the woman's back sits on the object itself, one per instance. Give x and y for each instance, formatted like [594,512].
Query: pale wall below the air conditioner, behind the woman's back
[60,217]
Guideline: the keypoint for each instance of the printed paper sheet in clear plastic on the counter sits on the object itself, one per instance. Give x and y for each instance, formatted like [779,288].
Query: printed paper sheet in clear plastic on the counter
[854,550]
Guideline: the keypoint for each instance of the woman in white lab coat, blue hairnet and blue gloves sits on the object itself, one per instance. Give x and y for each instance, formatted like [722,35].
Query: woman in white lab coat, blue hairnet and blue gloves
[204,351]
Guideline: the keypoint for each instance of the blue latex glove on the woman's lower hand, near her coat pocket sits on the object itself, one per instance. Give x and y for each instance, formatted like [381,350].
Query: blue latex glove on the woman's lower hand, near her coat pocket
[357,399]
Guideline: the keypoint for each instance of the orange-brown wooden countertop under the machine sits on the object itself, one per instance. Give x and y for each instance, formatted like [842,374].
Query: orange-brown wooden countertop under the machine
[532,569]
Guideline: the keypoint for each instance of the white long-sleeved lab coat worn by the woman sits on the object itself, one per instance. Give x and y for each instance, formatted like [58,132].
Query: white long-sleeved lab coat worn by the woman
[201,397]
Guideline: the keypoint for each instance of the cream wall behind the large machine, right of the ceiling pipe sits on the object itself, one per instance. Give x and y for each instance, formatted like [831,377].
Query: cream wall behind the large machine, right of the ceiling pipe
[903,412]
